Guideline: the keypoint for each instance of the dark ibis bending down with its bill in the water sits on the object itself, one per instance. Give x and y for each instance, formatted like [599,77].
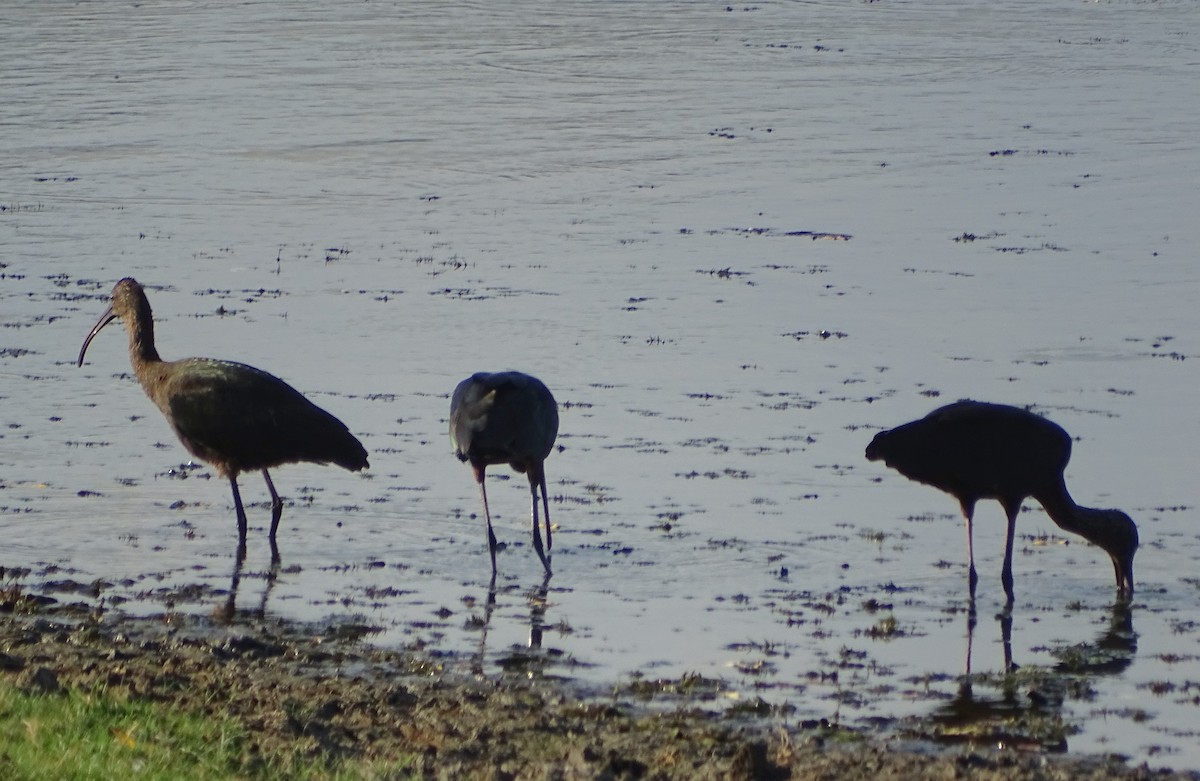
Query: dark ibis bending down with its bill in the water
[975,450]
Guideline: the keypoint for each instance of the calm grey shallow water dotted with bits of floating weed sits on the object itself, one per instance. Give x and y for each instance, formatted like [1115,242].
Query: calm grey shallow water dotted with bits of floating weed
[376,202]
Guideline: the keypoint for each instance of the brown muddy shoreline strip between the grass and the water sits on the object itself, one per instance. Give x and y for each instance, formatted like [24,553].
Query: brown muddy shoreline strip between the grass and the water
[325,694]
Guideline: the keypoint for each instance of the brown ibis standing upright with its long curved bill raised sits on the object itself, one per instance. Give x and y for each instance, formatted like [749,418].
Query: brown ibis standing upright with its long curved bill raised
[235,417]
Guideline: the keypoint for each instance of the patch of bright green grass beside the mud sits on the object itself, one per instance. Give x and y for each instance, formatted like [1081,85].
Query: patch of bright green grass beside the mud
[79,736]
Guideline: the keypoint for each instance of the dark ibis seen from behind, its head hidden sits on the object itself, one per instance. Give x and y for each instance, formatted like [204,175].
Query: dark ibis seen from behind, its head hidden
[512,419]
